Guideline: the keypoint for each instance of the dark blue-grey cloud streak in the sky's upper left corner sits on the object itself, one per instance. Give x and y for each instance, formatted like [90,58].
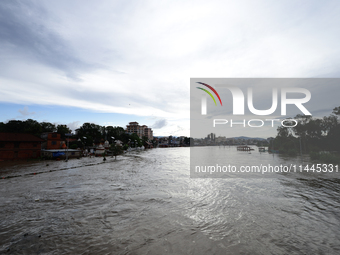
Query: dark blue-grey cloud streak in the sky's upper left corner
[23,31]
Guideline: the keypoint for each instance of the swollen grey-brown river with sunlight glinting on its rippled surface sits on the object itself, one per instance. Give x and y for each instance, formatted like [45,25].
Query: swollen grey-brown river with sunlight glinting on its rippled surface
[146,203]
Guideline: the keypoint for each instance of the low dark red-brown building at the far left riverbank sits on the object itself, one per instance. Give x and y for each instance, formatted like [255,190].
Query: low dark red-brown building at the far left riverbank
[19,146]
